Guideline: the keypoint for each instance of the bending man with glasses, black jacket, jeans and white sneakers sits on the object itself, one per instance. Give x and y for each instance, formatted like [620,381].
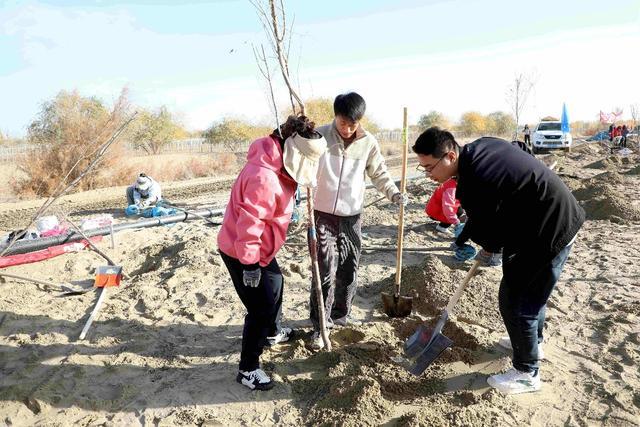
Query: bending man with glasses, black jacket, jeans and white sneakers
[514,202]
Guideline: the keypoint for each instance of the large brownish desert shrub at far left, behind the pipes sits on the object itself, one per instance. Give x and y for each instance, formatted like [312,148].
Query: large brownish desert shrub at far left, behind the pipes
[69,129]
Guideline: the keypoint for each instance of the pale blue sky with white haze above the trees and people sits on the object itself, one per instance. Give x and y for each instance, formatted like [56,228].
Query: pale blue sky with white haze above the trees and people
[195,57]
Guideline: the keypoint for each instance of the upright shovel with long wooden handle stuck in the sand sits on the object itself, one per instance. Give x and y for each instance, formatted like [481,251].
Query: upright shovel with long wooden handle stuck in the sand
[396,305]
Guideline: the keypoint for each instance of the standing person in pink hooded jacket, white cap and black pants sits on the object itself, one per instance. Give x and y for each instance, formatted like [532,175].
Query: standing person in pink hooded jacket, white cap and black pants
[254,229]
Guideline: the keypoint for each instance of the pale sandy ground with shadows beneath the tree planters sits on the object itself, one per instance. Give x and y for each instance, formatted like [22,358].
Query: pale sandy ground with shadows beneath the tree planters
[165,347]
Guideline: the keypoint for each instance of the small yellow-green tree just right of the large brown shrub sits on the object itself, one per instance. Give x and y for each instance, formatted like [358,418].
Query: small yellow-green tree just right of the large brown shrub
[153,130]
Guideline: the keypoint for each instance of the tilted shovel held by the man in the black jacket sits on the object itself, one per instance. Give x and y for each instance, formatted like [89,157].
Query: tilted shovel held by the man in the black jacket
[427,344]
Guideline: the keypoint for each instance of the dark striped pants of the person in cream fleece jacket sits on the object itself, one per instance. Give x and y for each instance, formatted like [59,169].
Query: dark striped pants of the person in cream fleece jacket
[339,246]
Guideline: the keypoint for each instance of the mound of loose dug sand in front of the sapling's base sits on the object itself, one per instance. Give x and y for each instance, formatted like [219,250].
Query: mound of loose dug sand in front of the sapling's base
[357,384]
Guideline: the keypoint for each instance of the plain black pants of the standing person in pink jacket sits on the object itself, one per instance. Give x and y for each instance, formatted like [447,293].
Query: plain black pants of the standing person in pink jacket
[264,309]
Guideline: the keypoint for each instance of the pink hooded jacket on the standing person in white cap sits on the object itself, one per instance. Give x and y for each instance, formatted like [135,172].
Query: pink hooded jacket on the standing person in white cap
[255,222]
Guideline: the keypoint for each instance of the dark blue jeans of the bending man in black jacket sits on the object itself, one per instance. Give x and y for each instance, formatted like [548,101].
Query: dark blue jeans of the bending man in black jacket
[524,291]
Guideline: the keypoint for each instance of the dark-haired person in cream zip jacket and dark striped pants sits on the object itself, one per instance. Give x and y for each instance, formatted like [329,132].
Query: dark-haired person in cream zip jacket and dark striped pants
[352,155]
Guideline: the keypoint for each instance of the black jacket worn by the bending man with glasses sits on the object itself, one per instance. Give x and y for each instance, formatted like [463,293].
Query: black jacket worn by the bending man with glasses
[513,201]
